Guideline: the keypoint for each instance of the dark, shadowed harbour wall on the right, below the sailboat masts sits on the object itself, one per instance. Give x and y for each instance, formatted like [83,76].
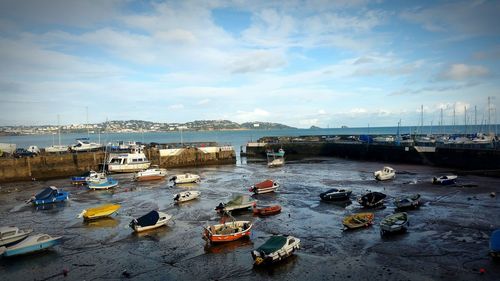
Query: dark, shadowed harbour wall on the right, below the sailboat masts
[459,158]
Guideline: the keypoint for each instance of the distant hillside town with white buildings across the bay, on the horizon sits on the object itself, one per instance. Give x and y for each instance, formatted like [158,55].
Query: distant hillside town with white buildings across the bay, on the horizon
[140,126]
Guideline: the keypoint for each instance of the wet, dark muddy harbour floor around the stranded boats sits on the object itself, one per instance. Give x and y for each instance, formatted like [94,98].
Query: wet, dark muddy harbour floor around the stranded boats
[447,239]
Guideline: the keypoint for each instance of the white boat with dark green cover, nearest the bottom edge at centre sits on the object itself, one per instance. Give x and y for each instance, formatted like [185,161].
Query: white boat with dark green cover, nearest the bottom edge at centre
[275,249]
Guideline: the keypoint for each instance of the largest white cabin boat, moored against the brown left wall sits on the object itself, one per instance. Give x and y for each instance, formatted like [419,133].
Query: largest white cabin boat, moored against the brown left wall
[128,162]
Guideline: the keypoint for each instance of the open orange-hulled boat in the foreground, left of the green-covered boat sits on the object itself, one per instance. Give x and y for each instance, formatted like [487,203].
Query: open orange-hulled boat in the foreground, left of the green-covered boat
[226,232]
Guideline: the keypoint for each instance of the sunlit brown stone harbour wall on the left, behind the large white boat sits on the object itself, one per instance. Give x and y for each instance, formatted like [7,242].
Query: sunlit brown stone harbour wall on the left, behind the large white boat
[70,164]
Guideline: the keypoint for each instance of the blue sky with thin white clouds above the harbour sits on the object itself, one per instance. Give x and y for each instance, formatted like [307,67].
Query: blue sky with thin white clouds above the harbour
[300,63]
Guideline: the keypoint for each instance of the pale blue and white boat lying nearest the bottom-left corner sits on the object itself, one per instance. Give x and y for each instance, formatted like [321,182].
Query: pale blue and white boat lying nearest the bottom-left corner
[32,244]
